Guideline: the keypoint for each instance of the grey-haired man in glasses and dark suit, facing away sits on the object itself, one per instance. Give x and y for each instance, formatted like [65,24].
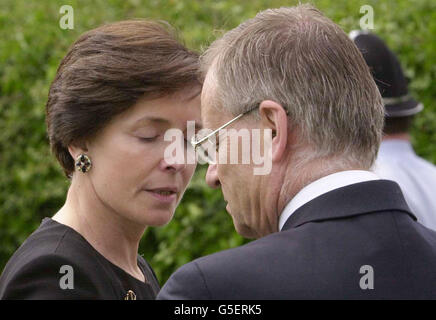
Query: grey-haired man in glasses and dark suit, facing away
[326,226]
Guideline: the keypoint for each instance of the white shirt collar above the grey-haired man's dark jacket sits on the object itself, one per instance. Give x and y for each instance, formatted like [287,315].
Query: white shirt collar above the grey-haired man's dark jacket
[324,185]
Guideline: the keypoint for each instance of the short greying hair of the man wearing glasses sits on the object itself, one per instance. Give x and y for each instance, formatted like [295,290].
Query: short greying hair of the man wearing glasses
[300,59]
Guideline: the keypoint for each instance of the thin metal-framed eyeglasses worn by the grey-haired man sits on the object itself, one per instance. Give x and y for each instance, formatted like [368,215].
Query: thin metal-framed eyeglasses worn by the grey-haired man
[206,147]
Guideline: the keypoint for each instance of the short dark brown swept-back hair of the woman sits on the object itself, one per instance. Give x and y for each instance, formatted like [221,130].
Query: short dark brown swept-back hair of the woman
[106,71]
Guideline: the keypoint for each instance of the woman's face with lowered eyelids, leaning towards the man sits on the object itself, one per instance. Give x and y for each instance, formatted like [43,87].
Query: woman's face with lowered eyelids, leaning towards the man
[129,174]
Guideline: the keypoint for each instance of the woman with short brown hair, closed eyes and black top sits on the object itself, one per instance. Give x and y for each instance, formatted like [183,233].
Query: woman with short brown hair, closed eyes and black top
[116,92]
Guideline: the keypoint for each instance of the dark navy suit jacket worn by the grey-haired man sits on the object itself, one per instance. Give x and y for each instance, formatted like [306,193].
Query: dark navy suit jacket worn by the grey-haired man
[327,249]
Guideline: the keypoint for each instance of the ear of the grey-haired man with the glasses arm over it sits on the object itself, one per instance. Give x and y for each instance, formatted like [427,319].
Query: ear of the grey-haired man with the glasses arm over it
[273,116]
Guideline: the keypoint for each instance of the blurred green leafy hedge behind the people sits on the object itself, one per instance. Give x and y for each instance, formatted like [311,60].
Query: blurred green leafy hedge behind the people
[32,44]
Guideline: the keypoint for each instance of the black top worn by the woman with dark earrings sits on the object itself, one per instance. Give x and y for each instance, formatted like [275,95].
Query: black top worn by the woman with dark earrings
[56,262]
